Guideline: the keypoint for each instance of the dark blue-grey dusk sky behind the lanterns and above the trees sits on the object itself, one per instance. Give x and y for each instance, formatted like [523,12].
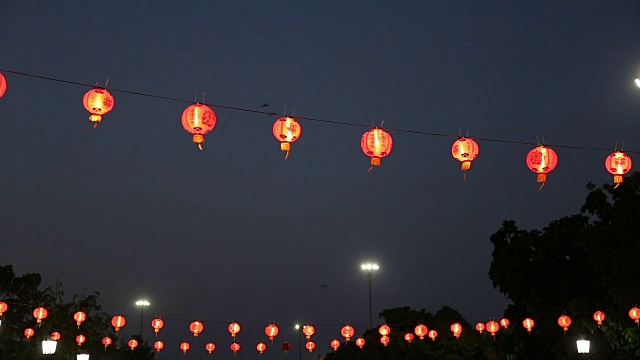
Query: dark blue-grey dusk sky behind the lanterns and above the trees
[236,233]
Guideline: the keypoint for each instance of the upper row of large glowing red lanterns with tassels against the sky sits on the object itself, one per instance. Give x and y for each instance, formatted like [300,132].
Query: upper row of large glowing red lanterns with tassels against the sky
[199,119]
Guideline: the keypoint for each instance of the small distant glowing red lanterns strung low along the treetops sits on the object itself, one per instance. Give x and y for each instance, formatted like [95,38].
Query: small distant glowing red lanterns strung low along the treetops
[272,330]
